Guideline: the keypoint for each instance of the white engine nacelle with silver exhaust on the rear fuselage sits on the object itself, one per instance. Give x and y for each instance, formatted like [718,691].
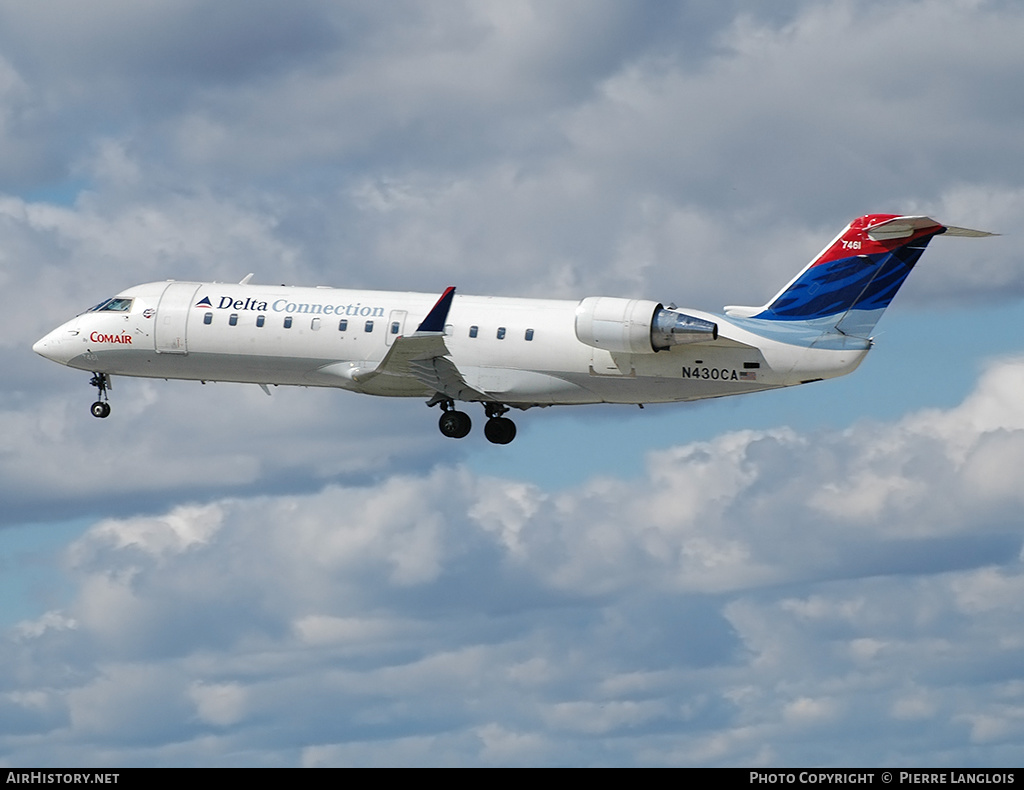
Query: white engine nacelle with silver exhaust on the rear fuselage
[637,326]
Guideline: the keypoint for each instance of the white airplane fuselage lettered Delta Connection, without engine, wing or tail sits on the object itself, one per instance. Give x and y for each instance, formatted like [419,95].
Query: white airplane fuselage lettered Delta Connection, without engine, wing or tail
[522,353]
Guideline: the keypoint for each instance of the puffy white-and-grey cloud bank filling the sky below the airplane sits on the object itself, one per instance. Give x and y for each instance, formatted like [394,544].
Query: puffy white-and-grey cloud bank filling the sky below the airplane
[753,598]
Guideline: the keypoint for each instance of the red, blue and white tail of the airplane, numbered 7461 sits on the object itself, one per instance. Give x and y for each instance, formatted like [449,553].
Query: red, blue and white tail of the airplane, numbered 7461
[845,289]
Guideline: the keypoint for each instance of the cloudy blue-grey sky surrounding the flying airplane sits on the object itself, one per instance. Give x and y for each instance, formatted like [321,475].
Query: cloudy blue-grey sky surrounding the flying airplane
[830,575]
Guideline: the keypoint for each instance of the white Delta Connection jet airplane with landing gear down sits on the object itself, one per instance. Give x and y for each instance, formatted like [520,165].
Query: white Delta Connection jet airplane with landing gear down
[502,353]
